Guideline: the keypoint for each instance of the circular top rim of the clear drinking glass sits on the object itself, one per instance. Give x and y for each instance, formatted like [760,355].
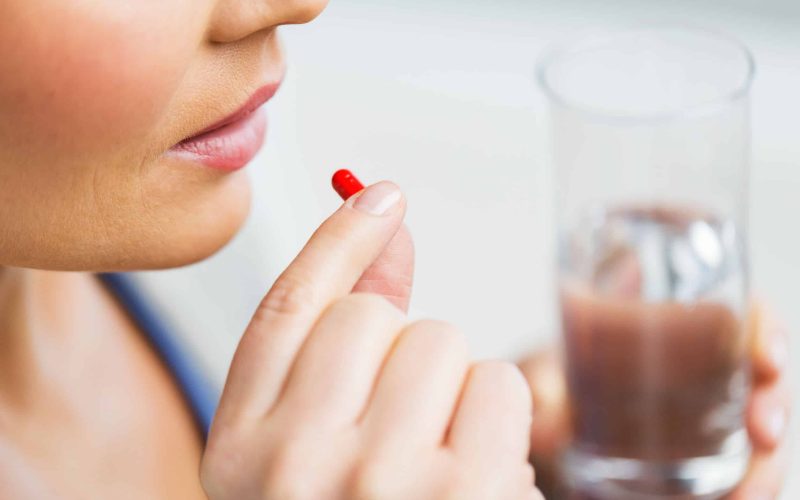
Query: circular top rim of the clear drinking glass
[561,50]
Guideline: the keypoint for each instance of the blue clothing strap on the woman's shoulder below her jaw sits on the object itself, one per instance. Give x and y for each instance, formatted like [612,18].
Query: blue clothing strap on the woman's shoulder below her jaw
[198,392]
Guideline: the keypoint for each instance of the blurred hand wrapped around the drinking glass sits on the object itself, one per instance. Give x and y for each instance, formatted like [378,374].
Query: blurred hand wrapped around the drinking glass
[767,414]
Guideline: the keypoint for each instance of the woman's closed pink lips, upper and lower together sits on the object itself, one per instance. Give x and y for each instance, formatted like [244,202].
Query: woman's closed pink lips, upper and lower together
[230,143]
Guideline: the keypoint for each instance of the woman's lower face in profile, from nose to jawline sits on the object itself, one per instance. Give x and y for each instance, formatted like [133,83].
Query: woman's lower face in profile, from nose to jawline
[101,104]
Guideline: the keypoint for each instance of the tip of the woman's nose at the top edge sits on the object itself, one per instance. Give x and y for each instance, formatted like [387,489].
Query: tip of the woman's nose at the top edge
[233,20]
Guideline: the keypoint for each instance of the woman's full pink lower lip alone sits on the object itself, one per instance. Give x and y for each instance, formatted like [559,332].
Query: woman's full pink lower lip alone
[227,148]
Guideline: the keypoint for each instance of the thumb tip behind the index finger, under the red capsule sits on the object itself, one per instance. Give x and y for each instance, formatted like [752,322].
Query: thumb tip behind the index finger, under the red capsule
[392,273]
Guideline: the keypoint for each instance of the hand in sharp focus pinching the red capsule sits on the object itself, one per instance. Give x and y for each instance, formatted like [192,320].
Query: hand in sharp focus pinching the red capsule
[335,395]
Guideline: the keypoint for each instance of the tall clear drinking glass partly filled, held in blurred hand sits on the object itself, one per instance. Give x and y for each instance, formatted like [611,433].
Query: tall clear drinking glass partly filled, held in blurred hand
[651,144]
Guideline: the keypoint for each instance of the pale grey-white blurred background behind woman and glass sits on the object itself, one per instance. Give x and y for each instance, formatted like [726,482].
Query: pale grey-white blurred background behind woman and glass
[439,96]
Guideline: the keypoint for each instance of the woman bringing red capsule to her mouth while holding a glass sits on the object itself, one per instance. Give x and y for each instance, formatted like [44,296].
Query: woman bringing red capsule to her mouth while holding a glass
[123,130]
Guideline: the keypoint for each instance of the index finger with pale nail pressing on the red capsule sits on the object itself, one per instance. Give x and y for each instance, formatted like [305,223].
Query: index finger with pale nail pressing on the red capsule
[326,269]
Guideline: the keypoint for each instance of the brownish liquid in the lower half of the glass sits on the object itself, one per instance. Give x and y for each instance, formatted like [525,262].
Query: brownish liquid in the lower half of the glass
[653,381]
